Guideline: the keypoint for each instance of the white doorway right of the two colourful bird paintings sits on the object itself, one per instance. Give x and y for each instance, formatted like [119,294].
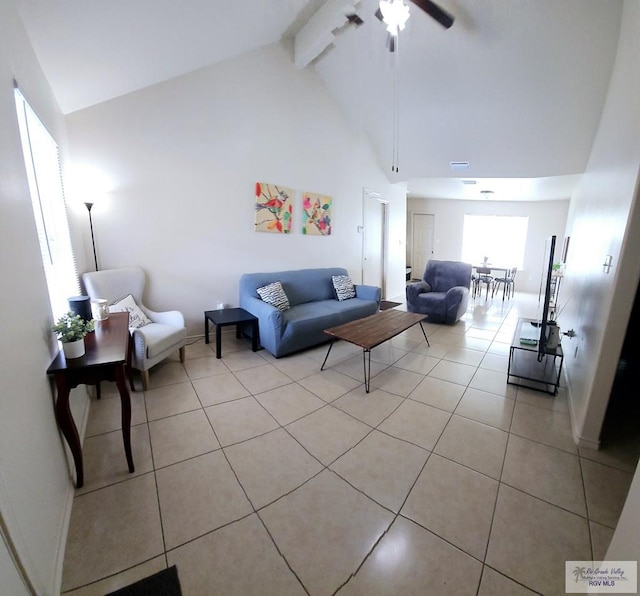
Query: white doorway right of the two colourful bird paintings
[374,240]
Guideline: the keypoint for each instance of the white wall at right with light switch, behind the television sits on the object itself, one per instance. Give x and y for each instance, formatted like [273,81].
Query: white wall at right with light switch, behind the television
[602,221]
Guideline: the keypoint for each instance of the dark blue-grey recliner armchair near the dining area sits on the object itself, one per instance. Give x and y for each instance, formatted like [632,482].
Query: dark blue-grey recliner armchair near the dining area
[443,294]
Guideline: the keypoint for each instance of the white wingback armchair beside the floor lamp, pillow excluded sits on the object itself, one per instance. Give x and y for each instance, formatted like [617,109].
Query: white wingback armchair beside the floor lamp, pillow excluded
[152,343]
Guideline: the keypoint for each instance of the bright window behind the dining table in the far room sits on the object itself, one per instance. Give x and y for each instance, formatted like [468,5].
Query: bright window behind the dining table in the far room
[500,238]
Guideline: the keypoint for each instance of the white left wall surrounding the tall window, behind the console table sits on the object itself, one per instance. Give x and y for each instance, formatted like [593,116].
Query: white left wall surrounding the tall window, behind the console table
[35,490]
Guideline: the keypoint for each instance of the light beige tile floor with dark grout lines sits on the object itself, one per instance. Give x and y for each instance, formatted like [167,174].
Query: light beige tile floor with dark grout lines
[264,476]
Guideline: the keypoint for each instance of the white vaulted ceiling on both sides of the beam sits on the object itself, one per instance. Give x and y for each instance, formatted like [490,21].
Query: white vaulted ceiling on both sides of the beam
[515,87]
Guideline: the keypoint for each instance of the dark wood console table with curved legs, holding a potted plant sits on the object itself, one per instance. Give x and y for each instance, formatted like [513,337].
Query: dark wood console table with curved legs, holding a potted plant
[107,350]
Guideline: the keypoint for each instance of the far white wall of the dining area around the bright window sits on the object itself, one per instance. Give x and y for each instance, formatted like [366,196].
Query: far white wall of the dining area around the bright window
[545,219]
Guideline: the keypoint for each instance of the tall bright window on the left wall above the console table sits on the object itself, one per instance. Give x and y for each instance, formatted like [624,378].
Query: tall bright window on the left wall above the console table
[42,161]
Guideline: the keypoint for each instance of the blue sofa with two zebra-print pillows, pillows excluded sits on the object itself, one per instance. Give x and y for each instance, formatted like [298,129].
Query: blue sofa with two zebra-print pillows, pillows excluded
[314,307]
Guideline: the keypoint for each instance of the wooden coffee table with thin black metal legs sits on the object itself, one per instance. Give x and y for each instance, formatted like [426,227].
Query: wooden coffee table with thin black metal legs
[372,331]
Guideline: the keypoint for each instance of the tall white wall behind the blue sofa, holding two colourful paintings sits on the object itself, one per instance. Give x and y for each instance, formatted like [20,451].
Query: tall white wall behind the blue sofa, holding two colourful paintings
[183,158]
